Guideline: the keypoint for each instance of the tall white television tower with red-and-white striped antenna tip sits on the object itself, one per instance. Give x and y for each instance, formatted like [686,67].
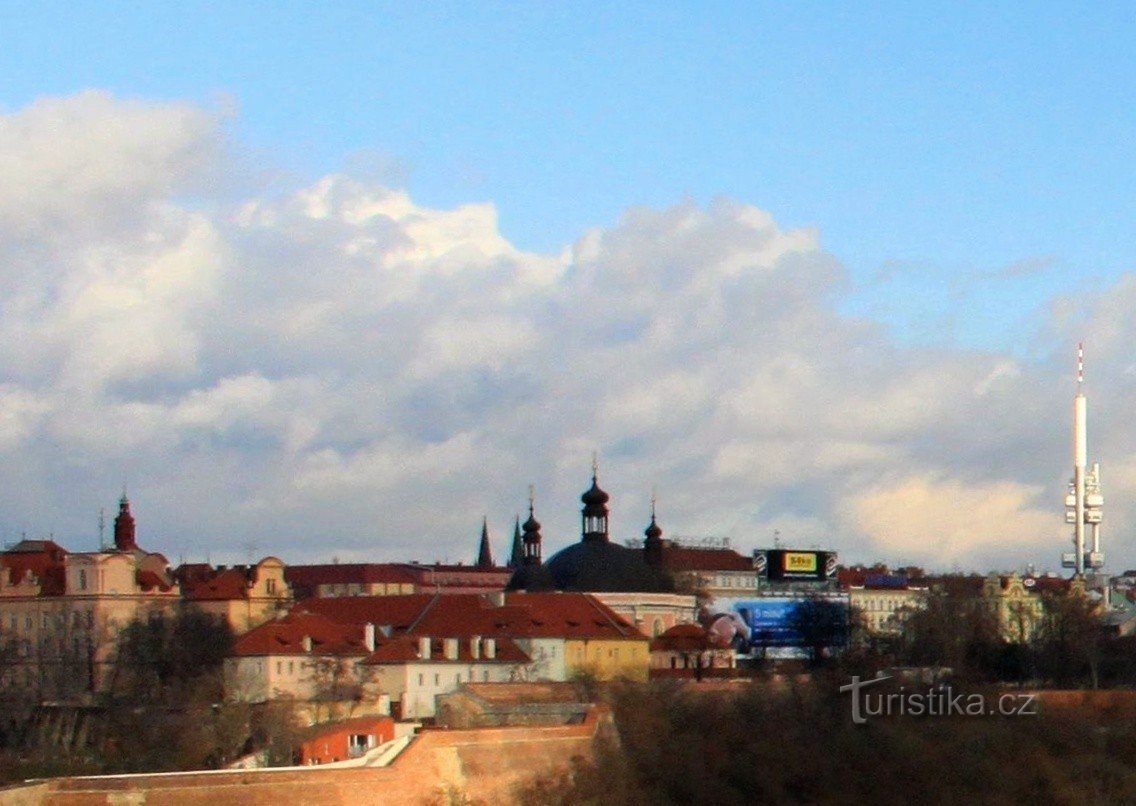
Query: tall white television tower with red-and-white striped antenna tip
[1084,500]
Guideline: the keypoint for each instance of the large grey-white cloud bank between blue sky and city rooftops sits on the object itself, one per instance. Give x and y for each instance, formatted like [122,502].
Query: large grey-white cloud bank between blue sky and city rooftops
[339,371]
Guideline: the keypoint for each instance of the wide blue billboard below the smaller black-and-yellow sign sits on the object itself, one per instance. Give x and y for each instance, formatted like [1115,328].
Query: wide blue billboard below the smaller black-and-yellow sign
[753,626]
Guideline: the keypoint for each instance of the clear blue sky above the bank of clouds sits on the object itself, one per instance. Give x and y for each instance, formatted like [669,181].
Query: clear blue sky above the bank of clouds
[941,142]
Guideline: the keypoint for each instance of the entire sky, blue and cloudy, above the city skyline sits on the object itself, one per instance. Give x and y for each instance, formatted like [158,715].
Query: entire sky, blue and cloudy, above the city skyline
[341,280]
